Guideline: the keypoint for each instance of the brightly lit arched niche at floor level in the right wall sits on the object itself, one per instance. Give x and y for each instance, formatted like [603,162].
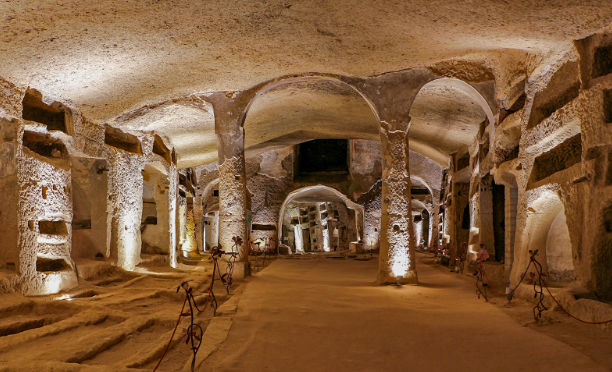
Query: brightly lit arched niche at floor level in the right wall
[547,232]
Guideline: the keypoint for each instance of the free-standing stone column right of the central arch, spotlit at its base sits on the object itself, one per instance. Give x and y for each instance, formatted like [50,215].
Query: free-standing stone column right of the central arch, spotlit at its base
[396,252]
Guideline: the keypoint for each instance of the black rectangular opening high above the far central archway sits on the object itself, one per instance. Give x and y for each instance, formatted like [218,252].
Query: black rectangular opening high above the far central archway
[323,156]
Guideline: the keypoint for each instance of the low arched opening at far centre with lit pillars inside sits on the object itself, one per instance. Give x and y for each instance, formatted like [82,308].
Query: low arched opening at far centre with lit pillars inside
[318,218]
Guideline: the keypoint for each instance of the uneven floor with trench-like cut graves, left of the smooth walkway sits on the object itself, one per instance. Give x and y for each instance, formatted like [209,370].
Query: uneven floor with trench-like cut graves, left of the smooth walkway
[118,322]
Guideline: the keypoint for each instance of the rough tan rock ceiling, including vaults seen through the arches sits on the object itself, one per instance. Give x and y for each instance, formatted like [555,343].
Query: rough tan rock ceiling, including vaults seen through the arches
[110,57]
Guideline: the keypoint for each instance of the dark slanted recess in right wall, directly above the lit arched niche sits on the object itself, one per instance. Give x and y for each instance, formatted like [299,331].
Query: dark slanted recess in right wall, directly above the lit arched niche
[559,158]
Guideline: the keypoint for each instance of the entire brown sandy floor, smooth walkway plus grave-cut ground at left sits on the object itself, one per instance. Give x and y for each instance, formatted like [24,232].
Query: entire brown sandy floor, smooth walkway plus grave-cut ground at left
[302,313]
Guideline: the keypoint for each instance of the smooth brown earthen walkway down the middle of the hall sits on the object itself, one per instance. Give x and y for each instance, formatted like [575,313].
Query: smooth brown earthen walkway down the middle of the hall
[328,315]
